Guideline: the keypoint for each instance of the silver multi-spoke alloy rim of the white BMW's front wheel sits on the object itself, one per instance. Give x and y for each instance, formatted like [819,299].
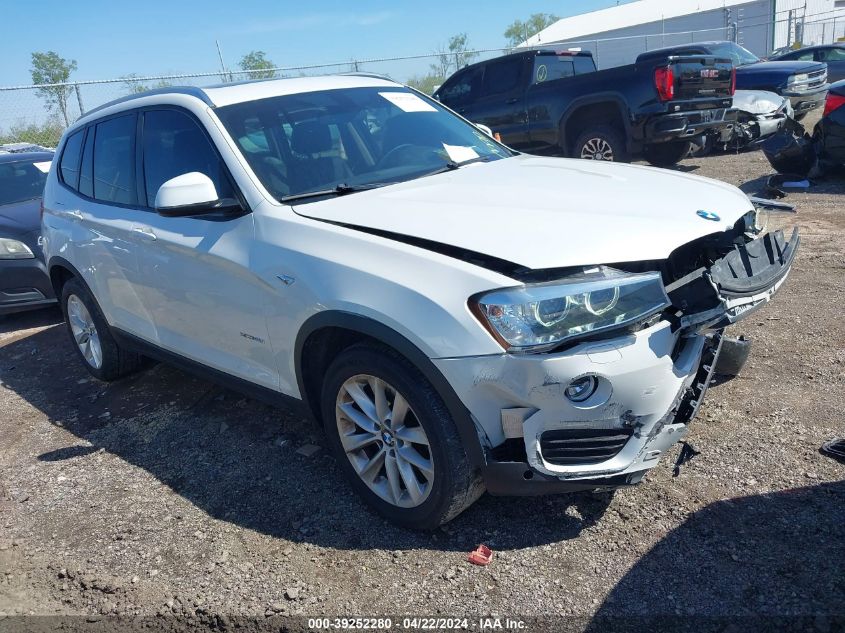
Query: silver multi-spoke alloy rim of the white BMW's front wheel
[384,441]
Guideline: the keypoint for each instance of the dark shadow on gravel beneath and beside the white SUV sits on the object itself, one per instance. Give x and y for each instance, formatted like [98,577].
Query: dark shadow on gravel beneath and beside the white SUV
[236,459]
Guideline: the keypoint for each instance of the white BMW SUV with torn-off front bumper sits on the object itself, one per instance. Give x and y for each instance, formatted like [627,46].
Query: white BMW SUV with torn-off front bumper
[457,316]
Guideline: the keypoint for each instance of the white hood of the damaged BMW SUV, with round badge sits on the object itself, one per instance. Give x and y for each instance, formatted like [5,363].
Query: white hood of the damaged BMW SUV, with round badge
[546,212]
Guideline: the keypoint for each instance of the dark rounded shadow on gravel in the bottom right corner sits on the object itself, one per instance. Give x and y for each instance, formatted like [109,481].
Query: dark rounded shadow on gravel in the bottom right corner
[743,563]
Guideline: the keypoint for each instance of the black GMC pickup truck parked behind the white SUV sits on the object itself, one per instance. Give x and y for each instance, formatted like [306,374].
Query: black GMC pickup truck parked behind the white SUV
[556,102]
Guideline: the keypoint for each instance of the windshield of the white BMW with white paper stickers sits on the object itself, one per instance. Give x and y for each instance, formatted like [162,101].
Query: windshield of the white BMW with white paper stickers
[342,140]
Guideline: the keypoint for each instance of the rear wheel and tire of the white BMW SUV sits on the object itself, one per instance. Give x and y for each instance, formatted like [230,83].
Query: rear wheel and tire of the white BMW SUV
[91,337]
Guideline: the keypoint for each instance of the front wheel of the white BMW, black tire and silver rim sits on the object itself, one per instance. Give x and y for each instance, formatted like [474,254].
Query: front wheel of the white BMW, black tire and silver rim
[395,440]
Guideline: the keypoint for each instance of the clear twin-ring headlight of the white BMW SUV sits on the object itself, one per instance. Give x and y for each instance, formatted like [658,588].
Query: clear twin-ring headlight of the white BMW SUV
[539,317]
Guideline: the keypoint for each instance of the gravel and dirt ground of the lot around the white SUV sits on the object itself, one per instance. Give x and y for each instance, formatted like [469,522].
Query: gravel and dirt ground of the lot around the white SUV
[163,494]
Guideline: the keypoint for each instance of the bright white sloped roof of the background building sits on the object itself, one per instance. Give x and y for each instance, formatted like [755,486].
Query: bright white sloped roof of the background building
[623,15]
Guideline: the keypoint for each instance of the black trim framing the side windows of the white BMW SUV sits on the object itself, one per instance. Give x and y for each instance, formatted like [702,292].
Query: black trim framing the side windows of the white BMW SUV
[140,184]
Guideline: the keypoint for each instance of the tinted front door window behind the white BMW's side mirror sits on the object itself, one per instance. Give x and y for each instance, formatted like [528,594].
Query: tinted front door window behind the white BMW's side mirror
[174,144]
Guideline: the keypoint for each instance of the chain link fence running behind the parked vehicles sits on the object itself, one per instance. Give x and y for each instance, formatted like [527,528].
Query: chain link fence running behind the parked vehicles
[39,114]
